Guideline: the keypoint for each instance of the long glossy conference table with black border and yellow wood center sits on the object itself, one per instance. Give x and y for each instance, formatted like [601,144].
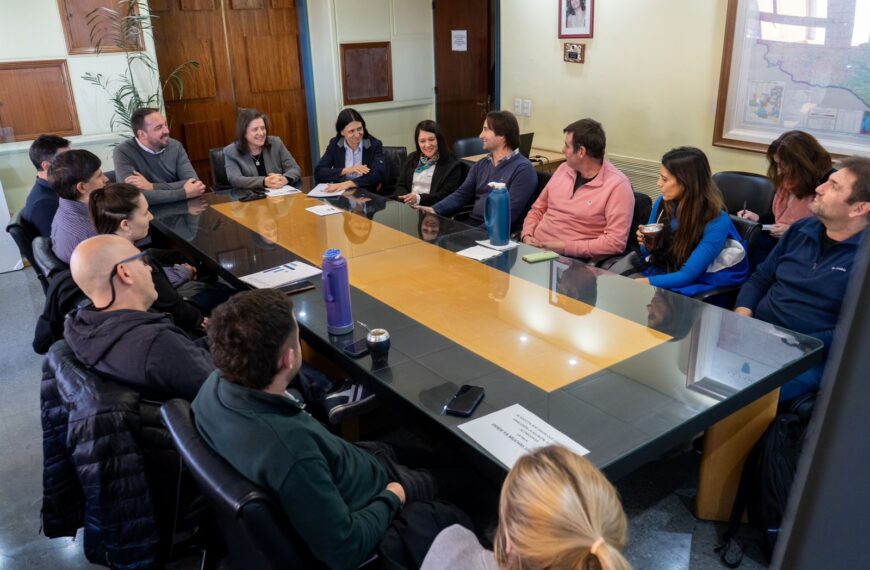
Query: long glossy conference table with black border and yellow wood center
[626,370]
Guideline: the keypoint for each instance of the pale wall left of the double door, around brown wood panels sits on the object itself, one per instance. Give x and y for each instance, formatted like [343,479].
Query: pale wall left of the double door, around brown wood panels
[32,30]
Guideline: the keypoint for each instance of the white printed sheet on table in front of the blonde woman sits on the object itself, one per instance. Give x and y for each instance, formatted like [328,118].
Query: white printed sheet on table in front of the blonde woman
[510,433]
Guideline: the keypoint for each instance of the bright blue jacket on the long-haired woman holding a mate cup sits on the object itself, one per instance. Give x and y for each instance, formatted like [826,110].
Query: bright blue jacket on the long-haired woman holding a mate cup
[712,242]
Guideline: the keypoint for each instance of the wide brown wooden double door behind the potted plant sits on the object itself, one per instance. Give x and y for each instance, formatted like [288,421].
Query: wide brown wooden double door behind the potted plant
[255,62]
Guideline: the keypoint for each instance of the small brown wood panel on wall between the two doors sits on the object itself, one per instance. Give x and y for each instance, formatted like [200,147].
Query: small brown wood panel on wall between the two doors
[366,72]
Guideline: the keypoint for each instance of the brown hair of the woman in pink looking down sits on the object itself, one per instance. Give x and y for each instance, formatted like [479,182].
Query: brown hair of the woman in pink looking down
[803,161]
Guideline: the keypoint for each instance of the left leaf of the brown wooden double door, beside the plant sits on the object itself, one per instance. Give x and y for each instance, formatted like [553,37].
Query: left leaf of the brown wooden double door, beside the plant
[204,116]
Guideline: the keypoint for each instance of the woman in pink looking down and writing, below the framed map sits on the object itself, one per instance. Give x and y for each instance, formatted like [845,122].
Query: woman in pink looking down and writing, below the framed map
[797,164]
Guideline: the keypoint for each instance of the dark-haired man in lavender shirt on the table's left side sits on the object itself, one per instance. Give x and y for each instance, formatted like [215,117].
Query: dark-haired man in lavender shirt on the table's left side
[74,174]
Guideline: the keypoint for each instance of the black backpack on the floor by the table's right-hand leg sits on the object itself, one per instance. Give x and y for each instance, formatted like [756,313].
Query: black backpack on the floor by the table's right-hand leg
[766,481]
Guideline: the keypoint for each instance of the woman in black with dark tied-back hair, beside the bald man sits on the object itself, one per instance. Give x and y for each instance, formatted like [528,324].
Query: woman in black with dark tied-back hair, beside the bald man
[121,209]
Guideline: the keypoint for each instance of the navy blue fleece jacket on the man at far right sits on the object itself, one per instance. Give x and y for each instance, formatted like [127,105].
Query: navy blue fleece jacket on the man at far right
[799,288]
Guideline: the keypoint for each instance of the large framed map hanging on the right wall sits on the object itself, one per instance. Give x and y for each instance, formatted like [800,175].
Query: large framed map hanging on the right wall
[795,64]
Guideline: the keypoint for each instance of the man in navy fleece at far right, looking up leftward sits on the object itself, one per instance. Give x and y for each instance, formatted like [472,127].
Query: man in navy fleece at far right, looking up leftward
[801,285]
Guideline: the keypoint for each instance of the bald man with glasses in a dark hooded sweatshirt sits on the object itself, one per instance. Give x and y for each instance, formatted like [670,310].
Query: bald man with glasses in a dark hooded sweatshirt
[118,337]
